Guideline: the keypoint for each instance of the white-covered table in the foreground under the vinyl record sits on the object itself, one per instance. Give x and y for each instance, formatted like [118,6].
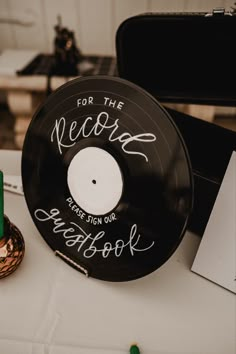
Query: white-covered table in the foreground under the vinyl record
[48,307]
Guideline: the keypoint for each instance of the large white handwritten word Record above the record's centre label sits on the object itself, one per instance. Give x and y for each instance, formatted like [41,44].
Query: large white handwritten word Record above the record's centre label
[100,123]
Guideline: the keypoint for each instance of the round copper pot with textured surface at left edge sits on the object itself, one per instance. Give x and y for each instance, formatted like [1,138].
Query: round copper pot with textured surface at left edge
[12,249]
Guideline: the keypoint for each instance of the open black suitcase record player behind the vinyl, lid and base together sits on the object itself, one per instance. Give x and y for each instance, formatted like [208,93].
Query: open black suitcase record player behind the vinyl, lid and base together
[187,58]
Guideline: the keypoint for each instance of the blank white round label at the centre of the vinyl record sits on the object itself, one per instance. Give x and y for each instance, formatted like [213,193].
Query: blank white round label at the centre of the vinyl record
[95,180]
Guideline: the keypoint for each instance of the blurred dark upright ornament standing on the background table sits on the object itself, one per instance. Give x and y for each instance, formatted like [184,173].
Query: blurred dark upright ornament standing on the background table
[67,54]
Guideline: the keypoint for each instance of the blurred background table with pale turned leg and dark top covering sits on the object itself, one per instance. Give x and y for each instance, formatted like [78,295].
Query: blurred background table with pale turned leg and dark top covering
[26,77]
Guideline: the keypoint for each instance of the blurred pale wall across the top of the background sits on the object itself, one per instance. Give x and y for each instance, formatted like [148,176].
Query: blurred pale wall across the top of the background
[94,21]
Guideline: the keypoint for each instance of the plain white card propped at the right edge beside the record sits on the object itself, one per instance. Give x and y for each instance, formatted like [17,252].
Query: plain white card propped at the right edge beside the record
[216,256]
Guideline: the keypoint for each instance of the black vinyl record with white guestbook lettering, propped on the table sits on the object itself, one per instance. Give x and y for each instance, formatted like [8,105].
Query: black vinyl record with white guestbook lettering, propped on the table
[107,178]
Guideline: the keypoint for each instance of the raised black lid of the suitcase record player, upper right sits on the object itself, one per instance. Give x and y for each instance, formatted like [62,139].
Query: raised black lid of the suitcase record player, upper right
[180,57]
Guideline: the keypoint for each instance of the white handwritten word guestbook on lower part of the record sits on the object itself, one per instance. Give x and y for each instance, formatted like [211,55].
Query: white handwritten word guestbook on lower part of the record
[76,236]
